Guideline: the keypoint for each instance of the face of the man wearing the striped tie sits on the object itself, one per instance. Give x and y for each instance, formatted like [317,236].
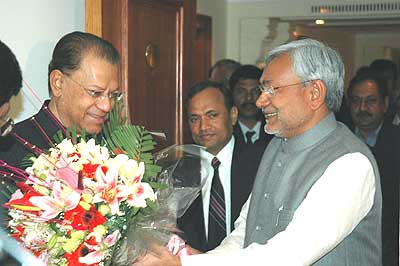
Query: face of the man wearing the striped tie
[211,124]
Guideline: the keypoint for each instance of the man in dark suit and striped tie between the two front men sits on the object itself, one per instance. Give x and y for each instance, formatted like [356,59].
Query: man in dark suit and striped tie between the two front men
[211,116]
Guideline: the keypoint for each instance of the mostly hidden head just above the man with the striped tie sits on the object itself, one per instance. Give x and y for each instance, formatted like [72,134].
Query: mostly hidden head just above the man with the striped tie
[222,70]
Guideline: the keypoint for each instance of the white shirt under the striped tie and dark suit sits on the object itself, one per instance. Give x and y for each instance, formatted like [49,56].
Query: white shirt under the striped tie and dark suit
[225,157]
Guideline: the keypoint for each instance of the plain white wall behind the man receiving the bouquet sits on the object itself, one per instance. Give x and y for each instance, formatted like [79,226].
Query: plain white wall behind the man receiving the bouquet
[31,29]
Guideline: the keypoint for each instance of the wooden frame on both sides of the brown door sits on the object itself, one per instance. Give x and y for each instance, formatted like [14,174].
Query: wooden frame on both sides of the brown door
[109,20]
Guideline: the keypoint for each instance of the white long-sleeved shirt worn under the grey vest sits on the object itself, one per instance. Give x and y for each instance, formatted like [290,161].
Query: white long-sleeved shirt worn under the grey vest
[334,206]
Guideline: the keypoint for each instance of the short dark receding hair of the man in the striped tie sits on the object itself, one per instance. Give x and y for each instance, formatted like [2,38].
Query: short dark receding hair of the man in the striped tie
[199,87]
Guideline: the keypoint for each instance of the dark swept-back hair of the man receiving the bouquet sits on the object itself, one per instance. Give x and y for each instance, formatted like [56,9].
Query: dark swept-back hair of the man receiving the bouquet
[71,49]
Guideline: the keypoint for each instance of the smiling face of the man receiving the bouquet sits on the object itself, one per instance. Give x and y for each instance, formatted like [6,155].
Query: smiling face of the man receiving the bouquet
[71,102]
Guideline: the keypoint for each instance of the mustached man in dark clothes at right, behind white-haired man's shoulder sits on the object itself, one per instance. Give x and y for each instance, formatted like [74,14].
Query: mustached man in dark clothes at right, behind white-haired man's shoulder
[369,103]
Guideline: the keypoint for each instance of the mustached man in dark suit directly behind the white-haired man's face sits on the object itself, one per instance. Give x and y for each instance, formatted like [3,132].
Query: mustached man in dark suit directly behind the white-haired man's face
[249,131]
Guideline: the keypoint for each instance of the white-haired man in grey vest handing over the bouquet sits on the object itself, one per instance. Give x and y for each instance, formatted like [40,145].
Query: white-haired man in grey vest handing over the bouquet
[316,199]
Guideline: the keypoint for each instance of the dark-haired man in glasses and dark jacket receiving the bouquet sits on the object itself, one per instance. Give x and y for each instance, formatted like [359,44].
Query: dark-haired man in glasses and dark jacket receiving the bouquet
[83,83]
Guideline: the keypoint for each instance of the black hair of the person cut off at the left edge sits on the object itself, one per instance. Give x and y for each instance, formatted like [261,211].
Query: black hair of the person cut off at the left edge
[10,74]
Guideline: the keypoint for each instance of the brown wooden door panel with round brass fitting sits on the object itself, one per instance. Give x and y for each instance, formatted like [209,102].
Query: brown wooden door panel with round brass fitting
[154,89]
